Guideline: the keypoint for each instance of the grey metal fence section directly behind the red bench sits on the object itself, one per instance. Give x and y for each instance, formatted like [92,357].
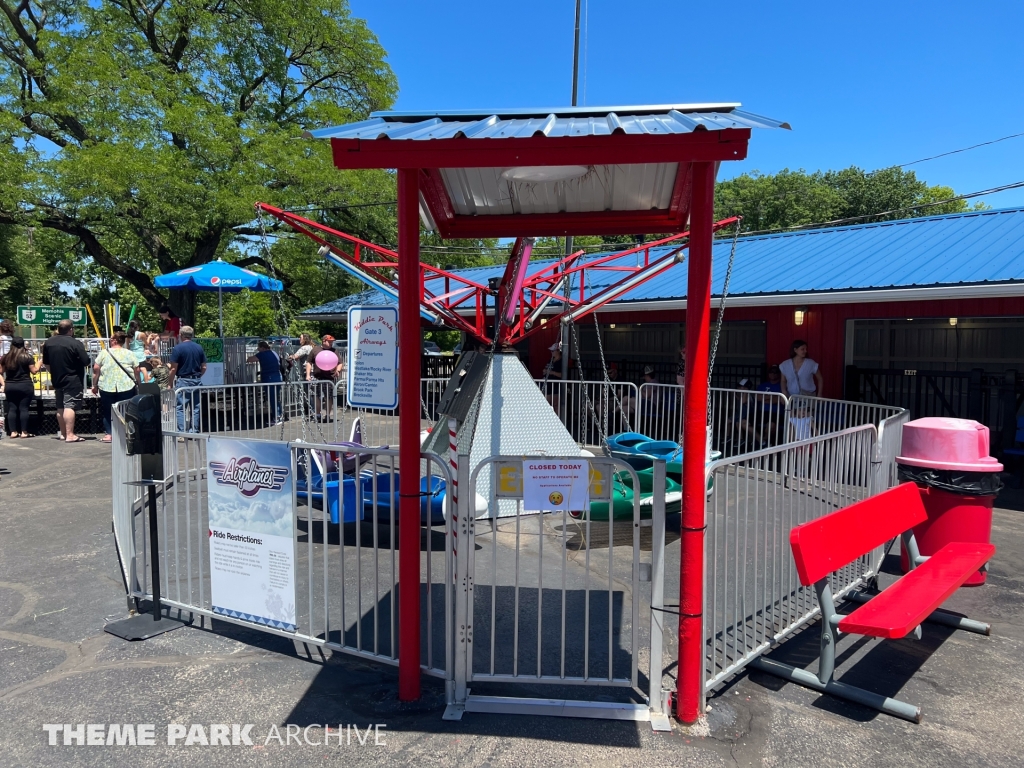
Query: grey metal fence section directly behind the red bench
[753,595]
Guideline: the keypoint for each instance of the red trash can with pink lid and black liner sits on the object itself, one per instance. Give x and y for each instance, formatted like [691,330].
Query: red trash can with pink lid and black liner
[959,481]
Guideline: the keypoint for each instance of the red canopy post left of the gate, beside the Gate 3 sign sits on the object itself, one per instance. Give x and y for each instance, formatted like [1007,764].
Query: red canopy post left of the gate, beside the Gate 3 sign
[409,435]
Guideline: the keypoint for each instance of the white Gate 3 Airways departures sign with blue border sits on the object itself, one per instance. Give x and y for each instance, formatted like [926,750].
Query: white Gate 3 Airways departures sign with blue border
[373,357]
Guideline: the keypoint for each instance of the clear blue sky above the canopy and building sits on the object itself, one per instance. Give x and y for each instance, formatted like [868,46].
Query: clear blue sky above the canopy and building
[871,84]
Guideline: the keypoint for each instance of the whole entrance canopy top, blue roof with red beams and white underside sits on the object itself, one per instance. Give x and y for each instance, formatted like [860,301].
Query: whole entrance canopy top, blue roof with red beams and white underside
[596,170]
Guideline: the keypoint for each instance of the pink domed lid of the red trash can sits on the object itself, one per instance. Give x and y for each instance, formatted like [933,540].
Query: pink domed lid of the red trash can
[948,444]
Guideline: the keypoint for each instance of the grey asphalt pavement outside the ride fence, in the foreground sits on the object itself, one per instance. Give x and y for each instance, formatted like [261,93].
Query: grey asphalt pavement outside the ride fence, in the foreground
[61,583]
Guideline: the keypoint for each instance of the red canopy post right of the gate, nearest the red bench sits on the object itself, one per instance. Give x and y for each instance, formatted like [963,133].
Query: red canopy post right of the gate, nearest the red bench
[689,693]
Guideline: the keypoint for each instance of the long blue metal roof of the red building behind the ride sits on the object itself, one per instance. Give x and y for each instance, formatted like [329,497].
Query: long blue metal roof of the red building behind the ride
[964,249]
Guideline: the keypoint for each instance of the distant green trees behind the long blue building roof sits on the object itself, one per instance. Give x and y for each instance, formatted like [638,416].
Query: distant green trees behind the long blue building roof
[791,199]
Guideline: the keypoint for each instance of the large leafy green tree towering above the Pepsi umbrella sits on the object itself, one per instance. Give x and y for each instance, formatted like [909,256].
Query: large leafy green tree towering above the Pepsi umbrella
[145,132]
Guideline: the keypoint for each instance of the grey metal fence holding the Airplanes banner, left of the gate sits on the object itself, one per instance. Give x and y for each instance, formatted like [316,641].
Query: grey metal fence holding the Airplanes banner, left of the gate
[344,526]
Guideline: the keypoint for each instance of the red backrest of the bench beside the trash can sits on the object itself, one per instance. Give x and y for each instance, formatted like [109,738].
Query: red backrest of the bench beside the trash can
[826,545]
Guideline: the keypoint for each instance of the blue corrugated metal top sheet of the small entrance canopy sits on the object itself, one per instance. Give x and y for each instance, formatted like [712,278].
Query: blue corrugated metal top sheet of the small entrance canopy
[580,121]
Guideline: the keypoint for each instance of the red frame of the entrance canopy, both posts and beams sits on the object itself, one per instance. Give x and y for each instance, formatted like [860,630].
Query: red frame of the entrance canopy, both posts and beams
[419,163]
